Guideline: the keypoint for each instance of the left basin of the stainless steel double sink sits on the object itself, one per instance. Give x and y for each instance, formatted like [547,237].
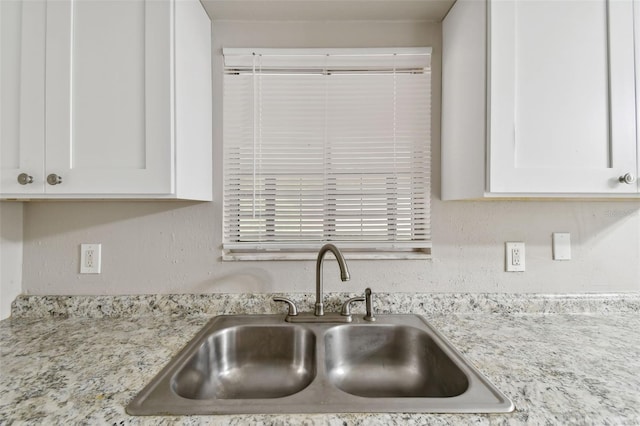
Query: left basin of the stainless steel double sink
[250,361]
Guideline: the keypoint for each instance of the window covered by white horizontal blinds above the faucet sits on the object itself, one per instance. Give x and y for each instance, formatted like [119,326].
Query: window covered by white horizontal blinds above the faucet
[326,145]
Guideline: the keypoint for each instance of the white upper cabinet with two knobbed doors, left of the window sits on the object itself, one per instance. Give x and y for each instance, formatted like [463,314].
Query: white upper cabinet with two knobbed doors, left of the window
[116,102]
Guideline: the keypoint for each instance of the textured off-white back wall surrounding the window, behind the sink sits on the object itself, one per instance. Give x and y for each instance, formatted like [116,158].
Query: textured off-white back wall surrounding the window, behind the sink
[175,247]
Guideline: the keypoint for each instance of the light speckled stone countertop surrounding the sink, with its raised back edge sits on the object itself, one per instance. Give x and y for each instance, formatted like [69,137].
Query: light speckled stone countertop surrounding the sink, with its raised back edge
[560,359]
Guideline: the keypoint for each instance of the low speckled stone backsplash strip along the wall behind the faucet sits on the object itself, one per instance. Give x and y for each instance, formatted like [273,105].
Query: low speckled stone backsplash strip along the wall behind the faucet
[384,303]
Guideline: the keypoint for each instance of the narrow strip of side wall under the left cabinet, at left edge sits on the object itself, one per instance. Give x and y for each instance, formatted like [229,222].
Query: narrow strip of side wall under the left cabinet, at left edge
[10,255]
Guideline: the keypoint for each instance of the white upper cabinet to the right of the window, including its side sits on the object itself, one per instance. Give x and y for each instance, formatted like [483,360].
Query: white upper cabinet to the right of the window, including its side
[538,99]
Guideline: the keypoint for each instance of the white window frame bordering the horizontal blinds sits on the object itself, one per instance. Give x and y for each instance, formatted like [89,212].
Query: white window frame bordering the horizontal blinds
[340,59]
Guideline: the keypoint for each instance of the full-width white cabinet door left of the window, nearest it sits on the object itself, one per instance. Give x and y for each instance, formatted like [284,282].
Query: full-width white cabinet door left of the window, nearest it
[109,126]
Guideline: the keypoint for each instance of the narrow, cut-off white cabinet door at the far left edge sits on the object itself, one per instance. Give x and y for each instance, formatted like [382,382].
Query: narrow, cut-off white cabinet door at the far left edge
[22,26]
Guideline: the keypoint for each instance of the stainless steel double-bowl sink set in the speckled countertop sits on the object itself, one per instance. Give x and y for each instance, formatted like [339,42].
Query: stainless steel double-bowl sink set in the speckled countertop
[262,364]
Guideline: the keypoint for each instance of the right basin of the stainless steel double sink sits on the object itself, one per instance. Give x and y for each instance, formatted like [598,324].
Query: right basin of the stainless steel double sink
[386,361]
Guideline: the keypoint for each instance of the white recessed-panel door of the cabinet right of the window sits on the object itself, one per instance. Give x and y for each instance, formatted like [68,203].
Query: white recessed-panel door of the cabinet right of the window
[561,96]
